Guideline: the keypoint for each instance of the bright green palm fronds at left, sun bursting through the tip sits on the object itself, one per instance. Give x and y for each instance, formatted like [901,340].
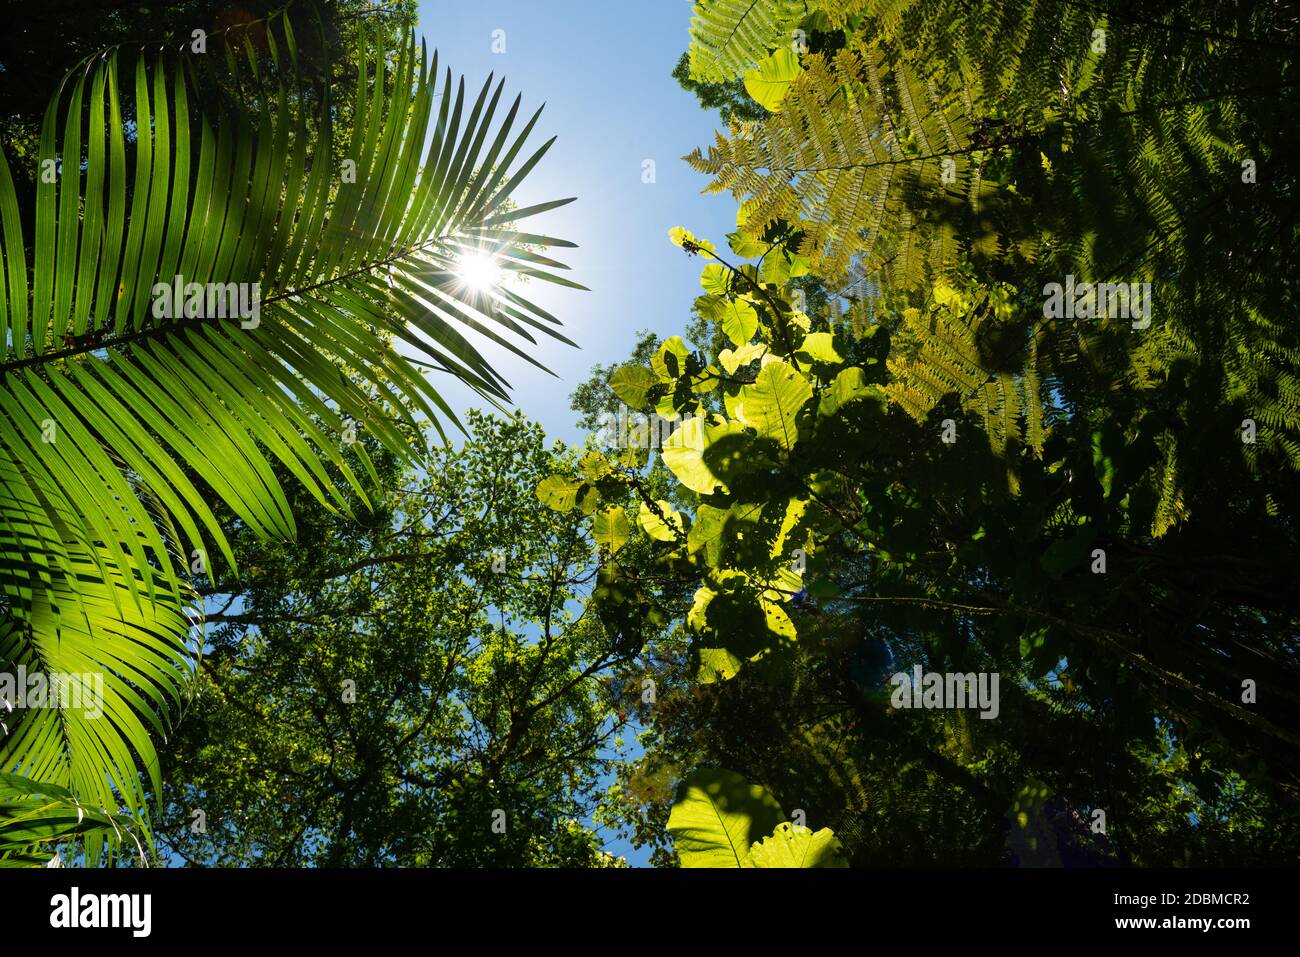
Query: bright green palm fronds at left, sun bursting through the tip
[120,428]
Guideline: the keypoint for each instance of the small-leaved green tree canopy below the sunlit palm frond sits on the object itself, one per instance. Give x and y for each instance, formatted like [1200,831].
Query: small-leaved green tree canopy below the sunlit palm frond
[376,692]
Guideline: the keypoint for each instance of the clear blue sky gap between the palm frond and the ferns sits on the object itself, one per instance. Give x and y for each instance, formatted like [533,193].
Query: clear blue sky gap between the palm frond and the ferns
[603,70]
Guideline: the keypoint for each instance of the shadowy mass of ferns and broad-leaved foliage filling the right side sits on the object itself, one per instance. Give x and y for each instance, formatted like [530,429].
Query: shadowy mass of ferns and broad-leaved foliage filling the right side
[894,449]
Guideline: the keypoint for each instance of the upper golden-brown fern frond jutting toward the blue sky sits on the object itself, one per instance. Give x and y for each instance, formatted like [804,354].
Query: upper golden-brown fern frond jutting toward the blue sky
[850,167]
